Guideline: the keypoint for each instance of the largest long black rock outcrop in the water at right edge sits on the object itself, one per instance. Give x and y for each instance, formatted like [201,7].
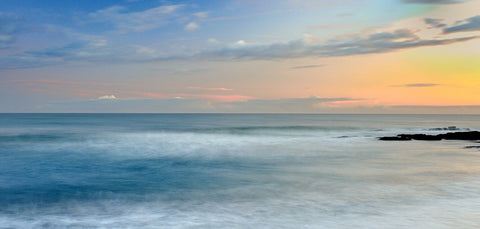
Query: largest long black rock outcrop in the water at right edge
[470,135]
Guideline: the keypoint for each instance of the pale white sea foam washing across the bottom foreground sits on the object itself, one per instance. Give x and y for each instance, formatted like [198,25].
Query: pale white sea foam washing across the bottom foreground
[344,206]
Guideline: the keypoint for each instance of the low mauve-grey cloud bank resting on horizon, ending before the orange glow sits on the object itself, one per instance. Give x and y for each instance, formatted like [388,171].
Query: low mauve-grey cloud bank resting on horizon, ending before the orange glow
[205,103]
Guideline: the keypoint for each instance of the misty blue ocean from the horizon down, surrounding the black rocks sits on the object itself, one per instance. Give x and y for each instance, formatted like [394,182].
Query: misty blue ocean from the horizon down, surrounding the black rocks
[235,171]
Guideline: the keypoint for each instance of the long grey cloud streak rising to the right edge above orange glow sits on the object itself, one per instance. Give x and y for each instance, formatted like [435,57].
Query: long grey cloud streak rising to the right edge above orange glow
[353,45]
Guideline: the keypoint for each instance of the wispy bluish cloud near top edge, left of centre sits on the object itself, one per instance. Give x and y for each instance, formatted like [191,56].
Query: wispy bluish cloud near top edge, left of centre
[126,21]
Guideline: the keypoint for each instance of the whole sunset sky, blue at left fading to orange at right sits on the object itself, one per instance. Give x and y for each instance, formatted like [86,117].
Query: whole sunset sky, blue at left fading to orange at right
[240,56]
